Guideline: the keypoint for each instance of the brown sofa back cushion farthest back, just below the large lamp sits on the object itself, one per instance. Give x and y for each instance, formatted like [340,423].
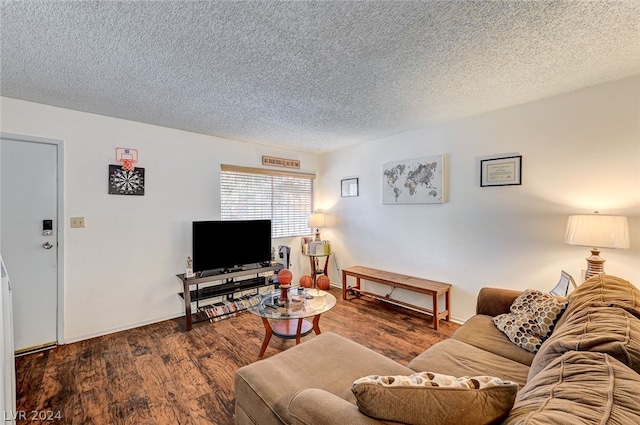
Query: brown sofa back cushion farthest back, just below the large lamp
[603,291]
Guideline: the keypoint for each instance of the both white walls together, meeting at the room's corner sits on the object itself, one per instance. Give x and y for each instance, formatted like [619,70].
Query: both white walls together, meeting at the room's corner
[581,152]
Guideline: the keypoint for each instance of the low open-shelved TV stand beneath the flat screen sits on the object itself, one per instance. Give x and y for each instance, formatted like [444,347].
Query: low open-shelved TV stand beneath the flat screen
[228,286]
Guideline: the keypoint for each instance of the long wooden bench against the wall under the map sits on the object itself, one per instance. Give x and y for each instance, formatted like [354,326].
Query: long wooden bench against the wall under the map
[395,280]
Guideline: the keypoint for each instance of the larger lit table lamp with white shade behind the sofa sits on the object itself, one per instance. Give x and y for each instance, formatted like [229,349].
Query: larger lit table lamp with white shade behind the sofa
[597,231]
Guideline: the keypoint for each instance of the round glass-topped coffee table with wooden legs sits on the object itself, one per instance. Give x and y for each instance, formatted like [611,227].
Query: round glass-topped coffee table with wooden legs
[289,319]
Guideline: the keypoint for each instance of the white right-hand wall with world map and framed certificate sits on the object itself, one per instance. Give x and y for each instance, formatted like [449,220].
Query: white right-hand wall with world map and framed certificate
[581,152]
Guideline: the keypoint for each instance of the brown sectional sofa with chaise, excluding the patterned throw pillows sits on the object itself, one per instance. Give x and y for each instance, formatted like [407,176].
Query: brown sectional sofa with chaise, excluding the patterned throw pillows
[585,372]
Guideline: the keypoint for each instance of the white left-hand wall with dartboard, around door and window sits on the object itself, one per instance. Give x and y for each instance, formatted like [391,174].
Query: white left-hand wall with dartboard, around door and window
[120,269]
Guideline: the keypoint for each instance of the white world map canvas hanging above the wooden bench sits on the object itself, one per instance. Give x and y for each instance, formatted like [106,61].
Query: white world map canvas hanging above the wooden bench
[414,181]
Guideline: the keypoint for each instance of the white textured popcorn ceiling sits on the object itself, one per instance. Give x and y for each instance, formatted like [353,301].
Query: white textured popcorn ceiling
[314,75]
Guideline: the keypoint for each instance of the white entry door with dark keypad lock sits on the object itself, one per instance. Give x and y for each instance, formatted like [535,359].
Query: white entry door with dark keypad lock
[28,187]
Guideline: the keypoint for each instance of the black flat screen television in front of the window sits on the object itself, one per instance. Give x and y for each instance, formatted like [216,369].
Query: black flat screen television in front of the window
[222,246]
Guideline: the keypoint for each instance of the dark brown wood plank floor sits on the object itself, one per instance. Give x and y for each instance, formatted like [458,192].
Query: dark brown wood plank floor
[159,374]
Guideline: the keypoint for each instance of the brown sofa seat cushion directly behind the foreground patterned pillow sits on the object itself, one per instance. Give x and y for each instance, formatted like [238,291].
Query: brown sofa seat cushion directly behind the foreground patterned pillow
[453,357]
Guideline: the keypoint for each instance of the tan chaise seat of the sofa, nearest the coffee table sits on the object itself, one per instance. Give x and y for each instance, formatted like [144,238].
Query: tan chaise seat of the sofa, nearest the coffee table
[263,389]
